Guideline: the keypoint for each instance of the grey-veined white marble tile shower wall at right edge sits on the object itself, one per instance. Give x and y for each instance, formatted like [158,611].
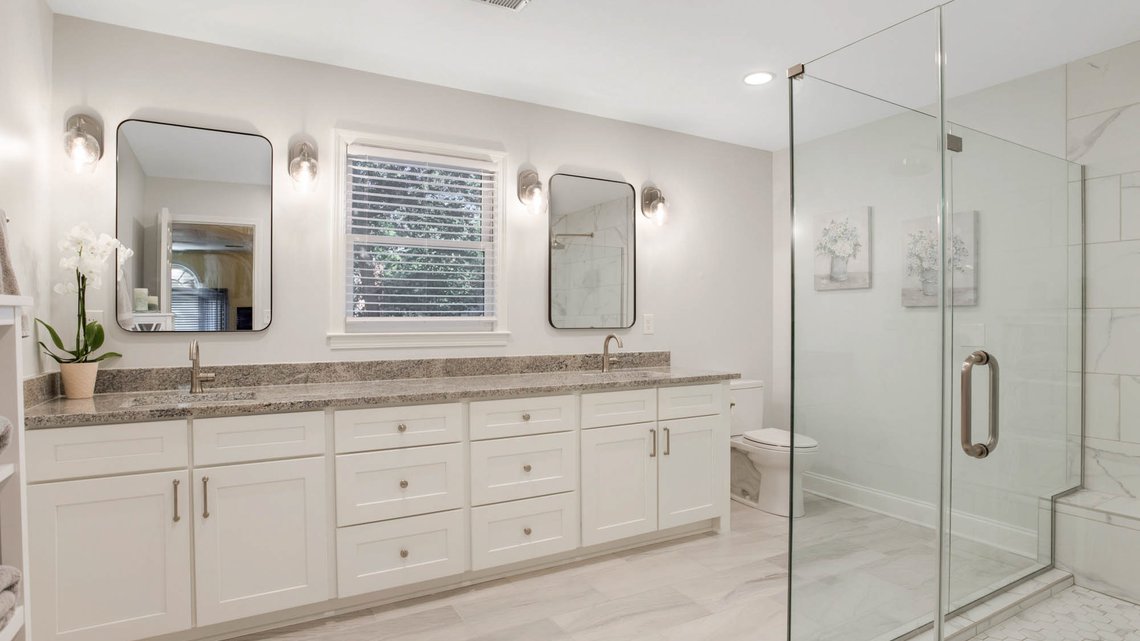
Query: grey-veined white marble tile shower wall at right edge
[1104,135]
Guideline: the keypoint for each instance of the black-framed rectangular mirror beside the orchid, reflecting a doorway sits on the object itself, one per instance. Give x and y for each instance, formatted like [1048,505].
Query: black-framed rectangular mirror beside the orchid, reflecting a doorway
[197,207]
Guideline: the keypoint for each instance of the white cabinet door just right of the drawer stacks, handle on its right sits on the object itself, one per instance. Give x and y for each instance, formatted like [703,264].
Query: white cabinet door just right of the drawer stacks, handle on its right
[618,483]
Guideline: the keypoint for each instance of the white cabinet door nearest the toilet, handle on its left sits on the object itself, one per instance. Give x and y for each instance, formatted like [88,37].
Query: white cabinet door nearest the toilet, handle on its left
[691,470]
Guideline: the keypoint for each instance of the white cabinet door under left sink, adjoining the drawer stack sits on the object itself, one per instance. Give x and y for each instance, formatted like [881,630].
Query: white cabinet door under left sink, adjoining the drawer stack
[262,539]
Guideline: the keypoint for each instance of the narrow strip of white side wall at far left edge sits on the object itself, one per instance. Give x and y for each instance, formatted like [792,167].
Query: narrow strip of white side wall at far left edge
[26,140]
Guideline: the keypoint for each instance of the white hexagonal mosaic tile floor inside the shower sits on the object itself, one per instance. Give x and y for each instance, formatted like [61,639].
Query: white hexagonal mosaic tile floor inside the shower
[1073,615]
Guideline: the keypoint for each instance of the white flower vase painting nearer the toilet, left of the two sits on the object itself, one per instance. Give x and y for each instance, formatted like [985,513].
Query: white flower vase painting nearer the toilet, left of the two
[843,250]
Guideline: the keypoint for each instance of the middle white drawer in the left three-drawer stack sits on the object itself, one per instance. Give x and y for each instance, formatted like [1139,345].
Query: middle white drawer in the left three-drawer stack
[373,486]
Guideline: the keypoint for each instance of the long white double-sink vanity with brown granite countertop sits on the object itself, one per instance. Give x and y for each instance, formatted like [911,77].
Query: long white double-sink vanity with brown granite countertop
[154,515]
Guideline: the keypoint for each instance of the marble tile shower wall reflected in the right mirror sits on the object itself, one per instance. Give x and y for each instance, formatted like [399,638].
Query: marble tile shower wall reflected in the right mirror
[588,287]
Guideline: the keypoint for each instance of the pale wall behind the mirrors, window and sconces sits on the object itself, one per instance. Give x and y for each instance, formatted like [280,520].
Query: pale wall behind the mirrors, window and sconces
[706,275]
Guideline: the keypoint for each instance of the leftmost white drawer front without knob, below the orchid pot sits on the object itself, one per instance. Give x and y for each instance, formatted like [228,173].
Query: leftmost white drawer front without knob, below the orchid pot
[96,451]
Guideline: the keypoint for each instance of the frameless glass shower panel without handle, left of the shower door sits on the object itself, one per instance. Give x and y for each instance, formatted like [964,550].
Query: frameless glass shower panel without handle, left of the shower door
[867,367]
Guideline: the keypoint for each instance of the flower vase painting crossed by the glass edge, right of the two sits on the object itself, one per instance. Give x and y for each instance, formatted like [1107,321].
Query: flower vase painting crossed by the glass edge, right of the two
[923,256]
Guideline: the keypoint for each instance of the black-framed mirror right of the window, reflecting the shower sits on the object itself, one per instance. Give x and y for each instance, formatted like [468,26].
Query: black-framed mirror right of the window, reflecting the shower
[592,254]
